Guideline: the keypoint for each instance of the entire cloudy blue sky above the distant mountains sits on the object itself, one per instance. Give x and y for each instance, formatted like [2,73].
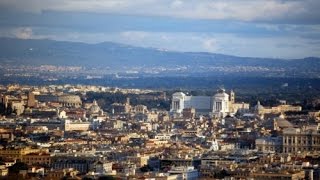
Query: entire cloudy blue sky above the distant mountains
[255,28]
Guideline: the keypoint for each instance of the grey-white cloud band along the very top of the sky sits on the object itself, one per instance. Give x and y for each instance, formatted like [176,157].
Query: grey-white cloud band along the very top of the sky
[245,10]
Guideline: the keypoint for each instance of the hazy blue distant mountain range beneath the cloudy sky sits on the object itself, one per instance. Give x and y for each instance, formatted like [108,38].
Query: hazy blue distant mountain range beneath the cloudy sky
[120,56]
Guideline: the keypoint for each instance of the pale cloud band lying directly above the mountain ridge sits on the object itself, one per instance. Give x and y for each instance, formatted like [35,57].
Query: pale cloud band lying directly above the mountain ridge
[287,46]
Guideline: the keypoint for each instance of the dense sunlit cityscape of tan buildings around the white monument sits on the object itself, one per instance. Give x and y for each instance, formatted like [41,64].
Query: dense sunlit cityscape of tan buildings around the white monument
[57,131]
